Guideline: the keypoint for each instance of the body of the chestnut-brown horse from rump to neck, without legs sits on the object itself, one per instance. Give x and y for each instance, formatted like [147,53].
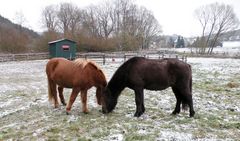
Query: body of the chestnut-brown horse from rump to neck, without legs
[69,74]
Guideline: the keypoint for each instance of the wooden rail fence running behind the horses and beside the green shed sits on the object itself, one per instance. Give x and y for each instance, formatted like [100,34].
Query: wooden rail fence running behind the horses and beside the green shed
[99,57]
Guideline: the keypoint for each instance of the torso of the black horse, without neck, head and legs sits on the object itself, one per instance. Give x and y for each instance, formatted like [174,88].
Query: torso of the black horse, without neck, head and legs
[158,74]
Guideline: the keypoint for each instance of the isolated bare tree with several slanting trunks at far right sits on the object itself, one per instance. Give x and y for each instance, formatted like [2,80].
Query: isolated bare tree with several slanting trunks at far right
[215,19]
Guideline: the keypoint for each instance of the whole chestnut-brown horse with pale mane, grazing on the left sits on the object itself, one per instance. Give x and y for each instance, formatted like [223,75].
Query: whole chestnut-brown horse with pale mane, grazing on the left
[80,75]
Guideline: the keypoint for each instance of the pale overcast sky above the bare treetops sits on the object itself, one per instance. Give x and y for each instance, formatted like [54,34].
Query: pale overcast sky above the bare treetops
[175,16]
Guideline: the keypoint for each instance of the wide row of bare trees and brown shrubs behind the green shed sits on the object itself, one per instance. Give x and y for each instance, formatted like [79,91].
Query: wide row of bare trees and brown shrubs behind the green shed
[111,25]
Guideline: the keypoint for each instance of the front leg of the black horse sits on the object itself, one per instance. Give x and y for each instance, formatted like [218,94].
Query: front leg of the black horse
[139,99]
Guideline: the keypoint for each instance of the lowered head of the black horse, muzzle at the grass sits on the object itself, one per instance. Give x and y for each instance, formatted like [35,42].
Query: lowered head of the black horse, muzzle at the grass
[109,101]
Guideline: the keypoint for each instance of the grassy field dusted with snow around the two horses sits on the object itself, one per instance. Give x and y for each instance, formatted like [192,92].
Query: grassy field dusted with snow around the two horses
[26,114]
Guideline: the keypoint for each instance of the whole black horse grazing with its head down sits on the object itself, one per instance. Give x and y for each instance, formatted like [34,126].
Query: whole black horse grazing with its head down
[139,73]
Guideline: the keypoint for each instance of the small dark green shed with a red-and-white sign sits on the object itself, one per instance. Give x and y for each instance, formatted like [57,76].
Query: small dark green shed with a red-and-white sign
[62,48]
